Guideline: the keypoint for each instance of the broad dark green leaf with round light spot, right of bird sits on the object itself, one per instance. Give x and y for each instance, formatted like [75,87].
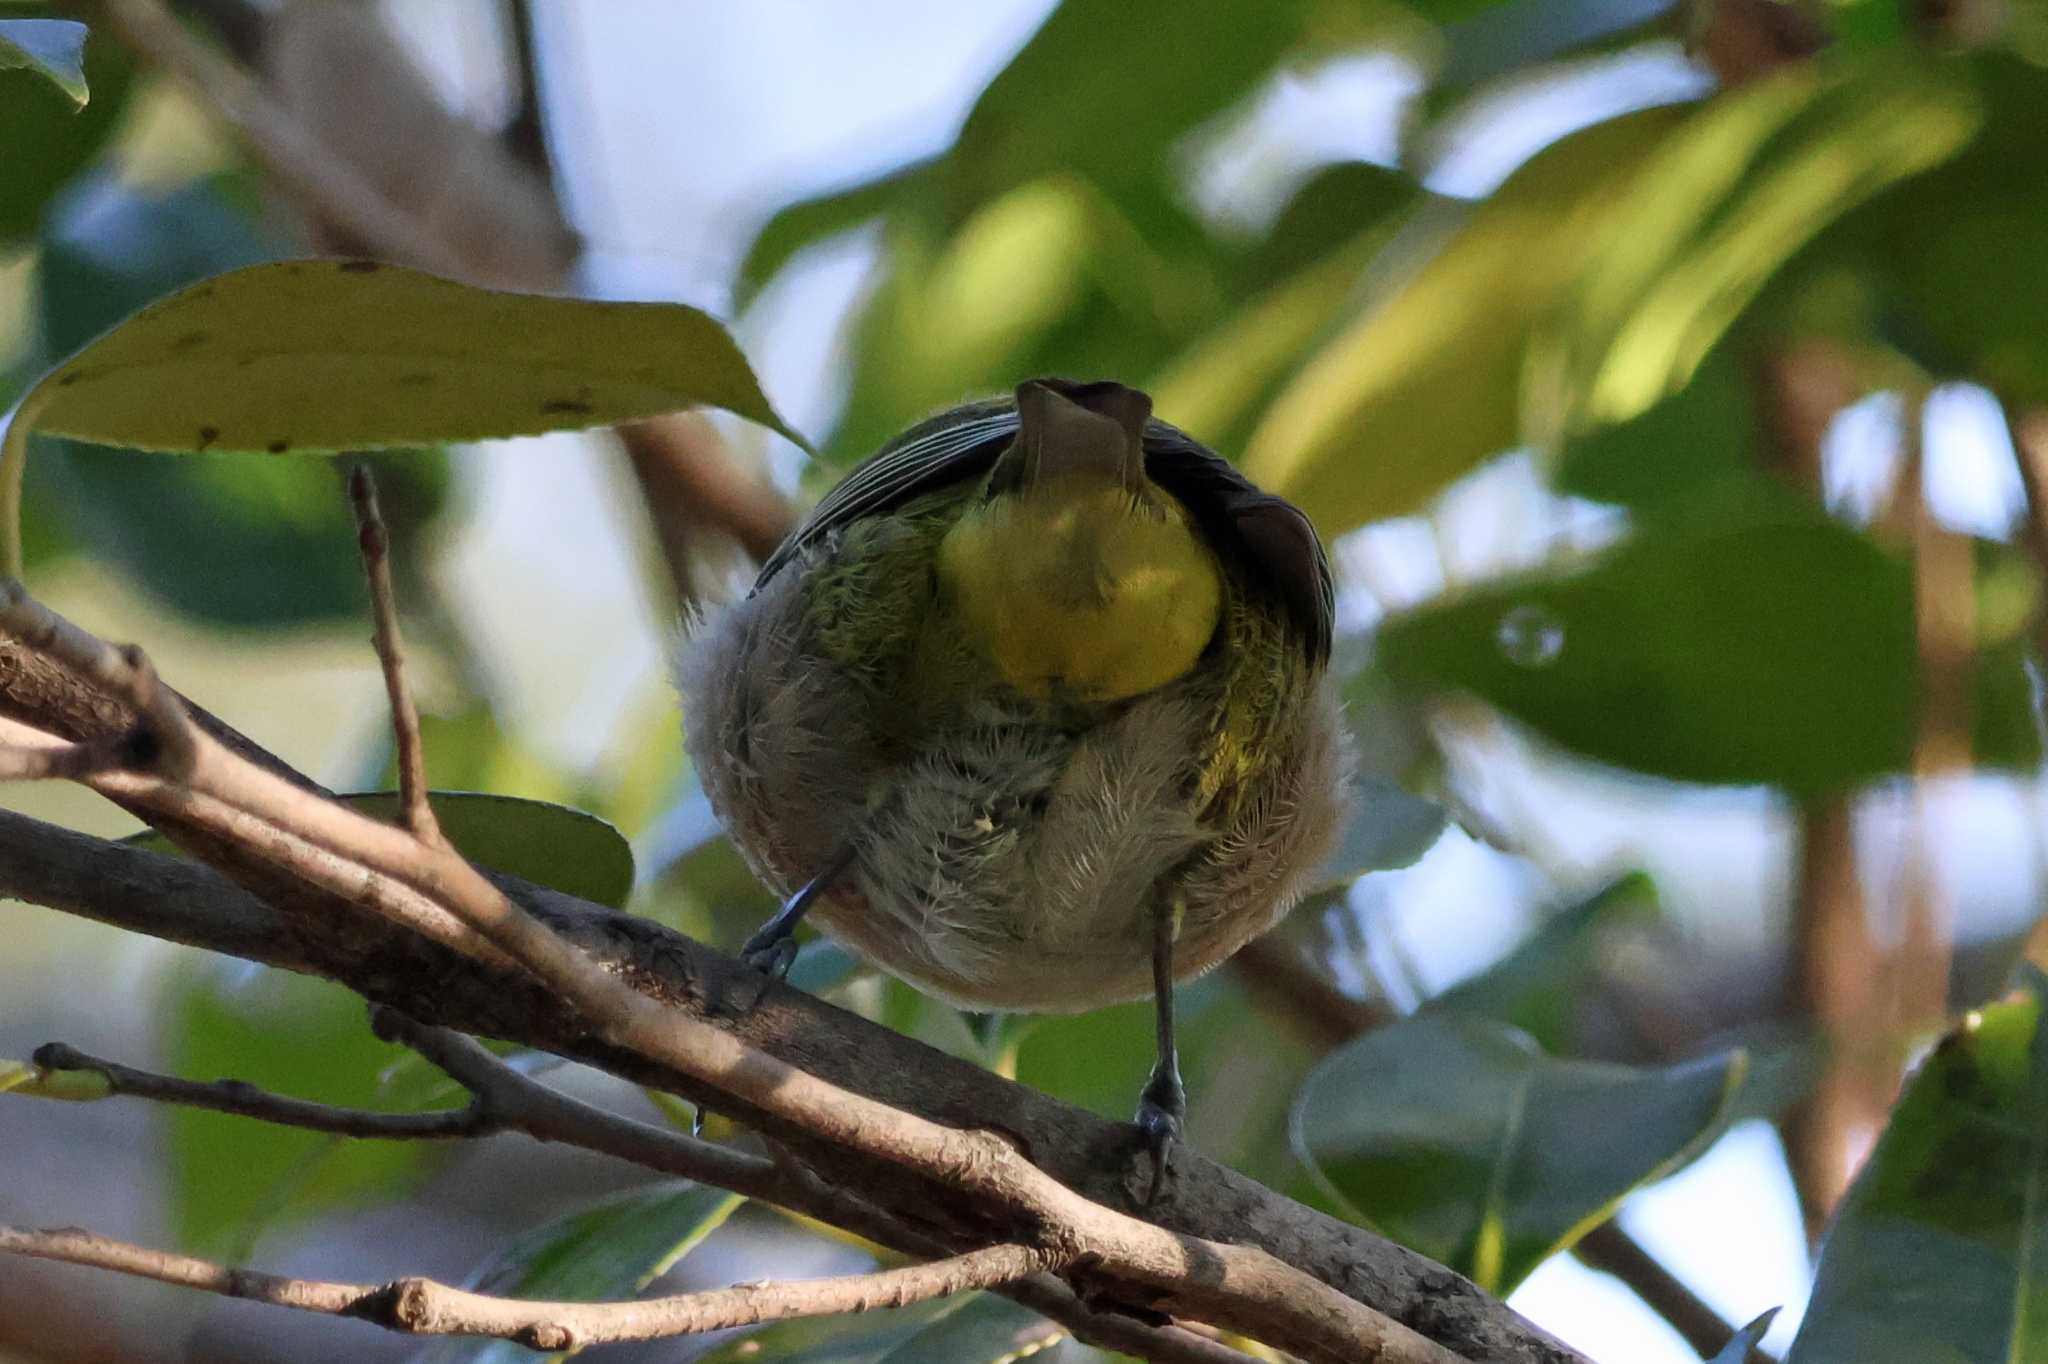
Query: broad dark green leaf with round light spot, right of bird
[1752,640]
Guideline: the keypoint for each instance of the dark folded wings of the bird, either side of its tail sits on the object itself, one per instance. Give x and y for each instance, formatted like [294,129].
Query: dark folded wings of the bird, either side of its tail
[1246,525]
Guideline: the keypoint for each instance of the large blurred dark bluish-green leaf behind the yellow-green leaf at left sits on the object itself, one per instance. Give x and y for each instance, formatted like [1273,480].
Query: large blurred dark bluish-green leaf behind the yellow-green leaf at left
[239,544]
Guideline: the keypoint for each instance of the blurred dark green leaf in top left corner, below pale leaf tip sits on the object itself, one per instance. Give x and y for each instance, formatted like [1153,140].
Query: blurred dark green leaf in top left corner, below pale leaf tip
[50,138]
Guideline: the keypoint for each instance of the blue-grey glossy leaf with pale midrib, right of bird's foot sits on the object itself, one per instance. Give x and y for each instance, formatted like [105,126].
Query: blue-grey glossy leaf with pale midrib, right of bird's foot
[1461,1140]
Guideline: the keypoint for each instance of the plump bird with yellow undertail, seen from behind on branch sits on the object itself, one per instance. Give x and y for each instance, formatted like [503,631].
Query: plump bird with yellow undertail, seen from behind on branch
[1033,712]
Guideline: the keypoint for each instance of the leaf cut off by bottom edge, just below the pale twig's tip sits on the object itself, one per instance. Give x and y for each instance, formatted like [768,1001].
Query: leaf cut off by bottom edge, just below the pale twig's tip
[976,1328]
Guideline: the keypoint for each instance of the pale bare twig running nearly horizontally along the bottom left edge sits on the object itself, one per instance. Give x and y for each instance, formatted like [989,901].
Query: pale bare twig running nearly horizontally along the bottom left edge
[427,1308]
